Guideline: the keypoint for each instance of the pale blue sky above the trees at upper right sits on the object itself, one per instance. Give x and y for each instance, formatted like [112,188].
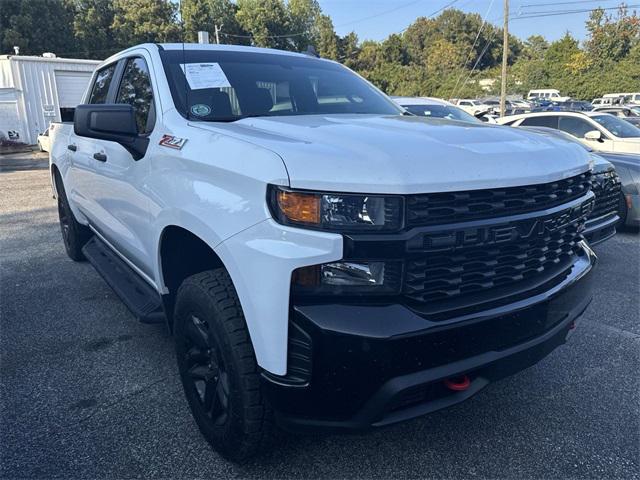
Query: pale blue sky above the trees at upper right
[377,19]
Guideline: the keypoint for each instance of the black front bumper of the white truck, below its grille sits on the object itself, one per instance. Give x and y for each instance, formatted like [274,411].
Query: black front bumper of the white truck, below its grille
[374,365]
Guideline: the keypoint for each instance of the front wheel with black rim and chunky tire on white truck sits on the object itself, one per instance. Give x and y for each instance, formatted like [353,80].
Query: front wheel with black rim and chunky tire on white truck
[218,367]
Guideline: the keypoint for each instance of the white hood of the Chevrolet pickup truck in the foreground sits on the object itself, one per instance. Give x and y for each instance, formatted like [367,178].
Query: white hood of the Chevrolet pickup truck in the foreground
[403,154]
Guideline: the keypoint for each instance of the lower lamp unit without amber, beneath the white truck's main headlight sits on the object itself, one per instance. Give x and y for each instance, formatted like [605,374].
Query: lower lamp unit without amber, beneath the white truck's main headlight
[348,278]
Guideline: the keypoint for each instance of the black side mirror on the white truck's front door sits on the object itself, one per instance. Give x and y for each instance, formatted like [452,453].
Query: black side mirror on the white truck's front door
[112,122]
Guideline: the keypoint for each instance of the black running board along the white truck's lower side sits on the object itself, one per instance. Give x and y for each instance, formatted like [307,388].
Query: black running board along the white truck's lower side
[139,297]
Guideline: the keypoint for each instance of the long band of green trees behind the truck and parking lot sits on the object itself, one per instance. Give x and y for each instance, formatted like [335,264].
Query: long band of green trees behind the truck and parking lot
[446,56]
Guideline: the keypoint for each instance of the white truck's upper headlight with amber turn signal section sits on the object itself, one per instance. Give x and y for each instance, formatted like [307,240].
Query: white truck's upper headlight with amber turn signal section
[342,212]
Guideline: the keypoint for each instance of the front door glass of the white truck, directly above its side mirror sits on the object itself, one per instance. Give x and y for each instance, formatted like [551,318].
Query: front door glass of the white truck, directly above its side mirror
[135,90]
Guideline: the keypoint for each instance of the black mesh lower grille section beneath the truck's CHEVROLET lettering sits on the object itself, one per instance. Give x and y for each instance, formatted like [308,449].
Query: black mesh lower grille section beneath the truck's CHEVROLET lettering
[438,277]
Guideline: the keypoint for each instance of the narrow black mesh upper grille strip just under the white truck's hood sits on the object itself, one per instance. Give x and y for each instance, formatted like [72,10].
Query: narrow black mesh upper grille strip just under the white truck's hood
[452,207]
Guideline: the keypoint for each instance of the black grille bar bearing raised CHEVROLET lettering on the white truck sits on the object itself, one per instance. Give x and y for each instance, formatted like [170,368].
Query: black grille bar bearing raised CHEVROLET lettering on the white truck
[508,232]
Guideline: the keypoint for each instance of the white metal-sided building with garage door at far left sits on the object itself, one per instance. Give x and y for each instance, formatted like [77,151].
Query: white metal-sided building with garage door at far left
[35,91]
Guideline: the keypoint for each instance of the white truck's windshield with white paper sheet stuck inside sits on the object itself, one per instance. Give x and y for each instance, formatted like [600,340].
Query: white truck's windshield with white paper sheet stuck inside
[230,85]
